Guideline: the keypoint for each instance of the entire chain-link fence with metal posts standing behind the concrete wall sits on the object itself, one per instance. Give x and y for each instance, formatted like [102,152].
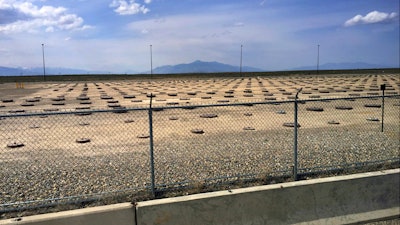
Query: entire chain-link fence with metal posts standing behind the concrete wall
[53,156]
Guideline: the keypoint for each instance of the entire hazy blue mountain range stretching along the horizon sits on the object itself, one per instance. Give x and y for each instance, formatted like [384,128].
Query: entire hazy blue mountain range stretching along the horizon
[194,67]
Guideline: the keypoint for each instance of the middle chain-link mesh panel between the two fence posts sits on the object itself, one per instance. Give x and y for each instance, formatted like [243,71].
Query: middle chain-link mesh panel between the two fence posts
[200,143]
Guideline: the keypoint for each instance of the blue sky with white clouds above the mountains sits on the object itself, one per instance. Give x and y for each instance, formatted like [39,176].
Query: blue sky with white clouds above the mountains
[115,35]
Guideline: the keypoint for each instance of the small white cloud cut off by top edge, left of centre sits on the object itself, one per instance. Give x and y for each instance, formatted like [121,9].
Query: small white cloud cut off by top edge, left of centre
[123,7]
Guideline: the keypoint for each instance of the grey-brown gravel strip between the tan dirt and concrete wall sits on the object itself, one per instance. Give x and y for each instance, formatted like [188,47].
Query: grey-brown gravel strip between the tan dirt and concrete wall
[194,159]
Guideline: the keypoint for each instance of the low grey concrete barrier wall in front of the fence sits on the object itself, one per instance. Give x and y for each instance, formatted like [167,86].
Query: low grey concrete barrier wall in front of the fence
[337,200]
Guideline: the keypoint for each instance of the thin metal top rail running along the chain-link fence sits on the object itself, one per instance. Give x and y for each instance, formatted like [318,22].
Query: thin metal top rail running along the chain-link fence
[191,106]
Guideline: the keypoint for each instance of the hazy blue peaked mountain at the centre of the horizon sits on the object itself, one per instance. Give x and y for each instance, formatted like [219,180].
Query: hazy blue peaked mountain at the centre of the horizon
[202,67]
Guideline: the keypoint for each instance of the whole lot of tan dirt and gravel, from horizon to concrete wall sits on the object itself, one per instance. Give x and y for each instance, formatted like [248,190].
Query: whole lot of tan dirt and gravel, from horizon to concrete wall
[69,143]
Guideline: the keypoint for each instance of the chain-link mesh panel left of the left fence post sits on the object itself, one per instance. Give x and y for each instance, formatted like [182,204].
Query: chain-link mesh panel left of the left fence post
[73,154]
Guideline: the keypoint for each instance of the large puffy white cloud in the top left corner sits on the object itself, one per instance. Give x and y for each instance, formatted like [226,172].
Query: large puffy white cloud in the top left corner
[31,18]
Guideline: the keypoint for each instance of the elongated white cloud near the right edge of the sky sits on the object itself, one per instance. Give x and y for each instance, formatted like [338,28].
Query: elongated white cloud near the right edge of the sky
[372,17]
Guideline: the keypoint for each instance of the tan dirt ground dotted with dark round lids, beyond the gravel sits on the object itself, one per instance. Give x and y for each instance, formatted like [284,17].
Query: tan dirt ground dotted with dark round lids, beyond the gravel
[62,131]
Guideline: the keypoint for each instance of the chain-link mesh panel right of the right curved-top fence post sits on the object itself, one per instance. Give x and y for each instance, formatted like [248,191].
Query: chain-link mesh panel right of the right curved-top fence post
[337,133]
